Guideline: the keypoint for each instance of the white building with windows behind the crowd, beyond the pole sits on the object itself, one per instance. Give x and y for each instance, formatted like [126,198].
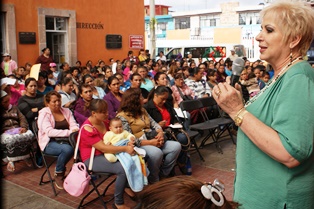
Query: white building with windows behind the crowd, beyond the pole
[231,26]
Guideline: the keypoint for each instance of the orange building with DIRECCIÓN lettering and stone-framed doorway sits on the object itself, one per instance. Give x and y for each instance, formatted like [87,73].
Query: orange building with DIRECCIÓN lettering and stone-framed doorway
[73,30]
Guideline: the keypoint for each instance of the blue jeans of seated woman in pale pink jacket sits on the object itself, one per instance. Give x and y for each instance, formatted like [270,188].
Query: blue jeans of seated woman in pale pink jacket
[63,151]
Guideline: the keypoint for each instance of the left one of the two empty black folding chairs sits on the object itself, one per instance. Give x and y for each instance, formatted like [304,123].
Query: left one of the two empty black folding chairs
[190,105]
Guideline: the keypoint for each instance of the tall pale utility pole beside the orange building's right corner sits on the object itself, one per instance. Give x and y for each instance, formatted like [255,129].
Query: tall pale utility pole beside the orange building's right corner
[152,24]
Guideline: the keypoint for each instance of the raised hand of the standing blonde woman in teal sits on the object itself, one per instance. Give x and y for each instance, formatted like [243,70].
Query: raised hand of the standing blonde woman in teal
[228,98]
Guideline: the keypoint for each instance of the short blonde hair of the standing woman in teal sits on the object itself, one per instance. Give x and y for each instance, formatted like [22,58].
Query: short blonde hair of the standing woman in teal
[295,19]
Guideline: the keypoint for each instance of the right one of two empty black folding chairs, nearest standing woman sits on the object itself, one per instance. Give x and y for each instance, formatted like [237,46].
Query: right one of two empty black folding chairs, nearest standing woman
[224,123]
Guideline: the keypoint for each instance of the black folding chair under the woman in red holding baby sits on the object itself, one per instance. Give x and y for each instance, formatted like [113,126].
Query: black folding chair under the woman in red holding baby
[73,139]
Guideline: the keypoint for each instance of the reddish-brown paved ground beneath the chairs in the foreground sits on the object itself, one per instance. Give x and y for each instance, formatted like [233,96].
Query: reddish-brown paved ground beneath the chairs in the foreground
[21,189]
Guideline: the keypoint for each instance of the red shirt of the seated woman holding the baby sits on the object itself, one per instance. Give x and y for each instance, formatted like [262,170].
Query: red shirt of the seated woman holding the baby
[88,139]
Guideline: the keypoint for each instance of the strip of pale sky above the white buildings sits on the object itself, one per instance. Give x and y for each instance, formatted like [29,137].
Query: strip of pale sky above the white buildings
[187,5]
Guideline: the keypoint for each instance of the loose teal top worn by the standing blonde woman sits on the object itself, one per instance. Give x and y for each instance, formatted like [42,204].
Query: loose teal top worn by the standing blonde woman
[288,107]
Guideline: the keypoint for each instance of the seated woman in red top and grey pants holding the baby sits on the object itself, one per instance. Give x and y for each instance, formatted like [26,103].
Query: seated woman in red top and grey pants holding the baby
[92,133]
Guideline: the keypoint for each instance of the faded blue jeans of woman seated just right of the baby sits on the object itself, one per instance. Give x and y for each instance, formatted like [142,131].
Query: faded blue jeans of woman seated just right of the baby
[161,160]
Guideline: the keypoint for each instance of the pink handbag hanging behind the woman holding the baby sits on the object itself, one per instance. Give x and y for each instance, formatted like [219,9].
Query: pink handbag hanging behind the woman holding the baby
[77,181]
